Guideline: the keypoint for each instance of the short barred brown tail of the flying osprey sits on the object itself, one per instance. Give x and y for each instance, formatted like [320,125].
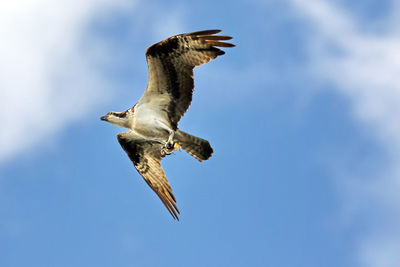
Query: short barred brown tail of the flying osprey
[198,148]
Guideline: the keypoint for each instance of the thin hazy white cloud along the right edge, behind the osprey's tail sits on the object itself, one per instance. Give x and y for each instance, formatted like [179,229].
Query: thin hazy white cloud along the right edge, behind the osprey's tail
[364,65]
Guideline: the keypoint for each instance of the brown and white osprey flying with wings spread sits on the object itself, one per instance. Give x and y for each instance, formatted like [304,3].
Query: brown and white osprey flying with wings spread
[153,121]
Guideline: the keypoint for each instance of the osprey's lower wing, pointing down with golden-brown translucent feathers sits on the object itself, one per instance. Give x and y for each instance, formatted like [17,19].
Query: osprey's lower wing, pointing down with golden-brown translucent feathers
[146,156]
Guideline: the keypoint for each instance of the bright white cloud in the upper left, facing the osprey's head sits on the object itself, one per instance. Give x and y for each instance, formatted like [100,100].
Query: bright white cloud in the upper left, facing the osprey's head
[46,78]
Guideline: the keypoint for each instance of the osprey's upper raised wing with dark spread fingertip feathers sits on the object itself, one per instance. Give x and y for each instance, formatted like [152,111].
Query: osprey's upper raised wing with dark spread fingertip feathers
[171,62]
